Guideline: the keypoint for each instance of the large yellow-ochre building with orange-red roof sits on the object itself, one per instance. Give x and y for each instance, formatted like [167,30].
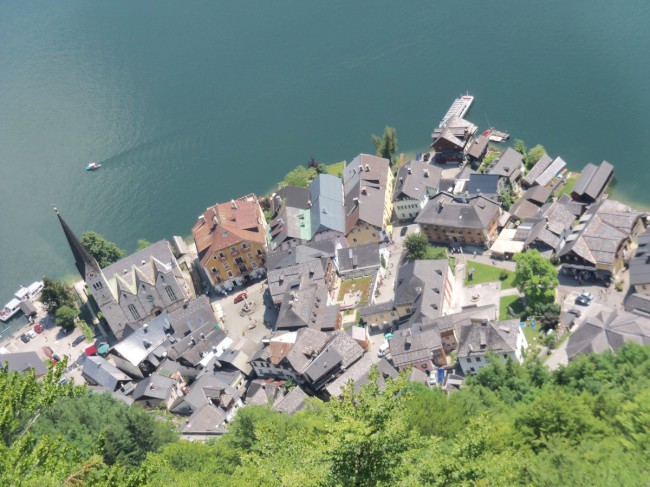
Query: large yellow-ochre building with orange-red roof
[231,239]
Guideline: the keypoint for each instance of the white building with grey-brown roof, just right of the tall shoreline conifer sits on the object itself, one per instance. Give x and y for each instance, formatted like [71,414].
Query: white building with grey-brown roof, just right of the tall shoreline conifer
[416,182]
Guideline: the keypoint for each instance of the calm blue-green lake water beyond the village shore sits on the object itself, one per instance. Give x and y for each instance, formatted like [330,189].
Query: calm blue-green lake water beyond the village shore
[190,103]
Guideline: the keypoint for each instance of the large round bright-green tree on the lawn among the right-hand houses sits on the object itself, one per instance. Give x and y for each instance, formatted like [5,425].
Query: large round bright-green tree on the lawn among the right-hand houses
[536,277]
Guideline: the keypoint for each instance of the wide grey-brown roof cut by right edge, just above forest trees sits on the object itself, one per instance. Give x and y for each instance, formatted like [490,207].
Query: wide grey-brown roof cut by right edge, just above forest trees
[608,331]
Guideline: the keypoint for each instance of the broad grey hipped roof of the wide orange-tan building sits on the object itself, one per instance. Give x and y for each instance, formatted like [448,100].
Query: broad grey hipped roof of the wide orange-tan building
[446,210]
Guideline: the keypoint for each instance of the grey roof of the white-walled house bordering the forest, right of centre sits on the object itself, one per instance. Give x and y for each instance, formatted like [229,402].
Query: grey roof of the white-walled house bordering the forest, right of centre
[478,338]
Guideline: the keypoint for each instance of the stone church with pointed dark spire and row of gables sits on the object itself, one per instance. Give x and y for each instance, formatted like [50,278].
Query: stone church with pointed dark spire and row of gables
[135,289]
